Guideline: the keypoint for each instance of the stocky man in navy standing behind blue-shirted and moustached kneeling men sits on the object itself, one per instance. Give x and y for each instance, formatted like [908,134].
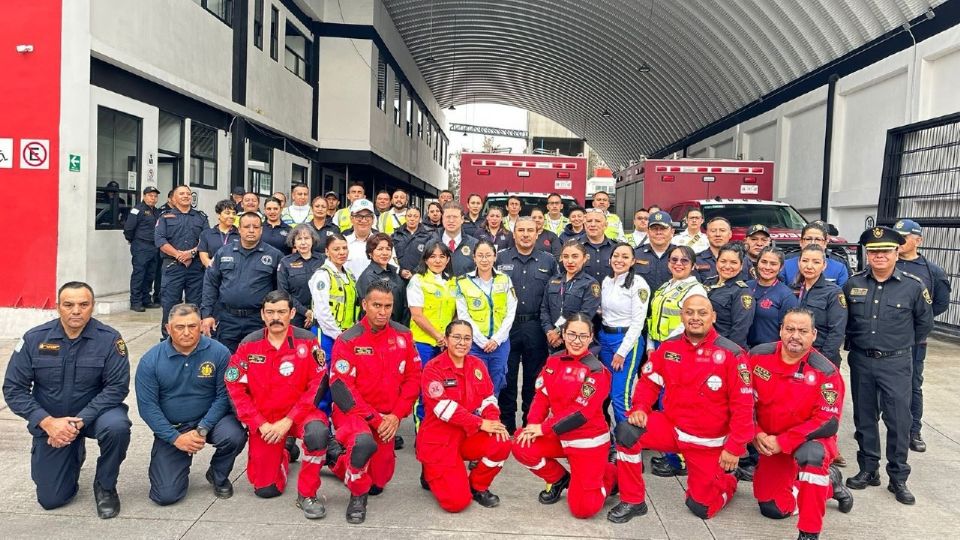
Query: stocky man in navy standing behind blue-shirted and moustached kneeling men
[241,274]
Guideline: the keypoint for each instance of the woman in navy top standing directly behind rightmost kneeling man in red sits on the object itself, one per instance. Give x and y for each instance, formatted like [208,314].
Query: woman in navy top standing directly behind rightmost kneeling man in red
[772,297]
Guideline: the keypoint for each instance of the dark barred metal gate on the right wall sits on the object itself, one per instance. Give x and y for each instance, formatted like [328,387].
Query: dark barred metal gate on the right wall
[921,181]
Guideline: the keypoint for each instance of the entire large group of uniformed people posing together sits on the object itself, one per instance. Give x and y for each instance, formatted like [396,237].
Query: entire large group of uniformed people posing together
[724,356]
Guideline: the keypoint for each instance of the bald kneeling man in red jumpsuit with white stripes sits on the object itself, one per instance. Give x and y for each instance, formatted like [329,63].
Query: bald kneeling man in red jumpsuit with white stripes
[707,415]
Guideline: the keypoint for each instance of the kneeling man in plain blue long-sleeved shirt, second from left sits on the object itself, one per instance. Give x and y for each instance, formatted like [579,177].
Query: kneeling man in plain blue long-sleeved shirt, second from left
[182,396]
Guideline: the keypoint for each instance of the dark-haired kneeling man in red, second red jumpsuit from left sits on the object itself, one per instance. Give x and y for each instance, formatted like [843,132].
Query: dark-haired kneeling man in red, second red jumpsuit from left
[374,380]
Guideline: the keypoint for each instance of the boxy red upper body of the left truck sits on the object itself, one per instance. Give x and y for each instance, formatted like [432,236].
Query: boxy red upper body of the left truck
[488,174]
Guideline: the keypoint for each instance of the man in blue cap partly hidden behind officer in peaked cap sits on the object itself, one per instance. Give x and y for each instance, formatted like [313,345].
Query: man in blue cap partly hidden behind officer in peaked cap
[935,279]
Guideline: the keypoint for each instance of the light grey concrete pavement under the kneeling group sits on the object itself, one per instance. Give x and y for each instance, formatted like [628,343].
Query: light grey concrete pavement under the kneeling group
[406,511]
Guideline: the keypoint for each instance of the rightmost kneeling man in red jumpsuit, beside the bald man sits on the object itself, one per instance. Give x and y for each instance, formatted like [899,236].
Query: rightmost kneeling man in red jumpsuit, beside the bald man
[799,396]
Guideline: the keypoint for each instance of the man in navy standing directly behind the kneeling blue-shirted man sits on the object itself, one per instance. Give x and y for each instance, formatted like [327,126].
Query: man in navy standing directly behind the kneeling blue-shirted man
[178,235]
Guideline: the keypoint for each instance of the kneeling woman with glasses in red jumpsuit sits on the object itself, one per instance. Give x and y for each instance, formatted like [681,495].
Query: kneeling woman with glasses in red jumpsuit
[566,421]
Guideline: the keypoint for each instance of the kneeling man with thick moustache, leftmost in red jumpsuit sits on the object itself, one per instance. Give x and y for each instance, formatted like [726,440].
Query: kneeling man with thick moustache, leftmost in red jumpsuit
[274,380]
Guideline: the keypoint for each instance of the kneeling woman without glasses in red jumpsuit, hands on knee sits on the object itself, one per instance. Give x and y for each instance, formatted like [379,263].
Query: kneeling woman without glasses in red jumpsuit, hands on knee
[461,422]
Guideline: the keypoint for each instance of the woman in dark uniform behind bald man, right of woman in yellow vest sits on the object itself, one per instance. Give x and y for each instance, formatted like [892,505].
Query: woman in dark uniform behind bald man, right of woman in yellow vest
[732,300]
